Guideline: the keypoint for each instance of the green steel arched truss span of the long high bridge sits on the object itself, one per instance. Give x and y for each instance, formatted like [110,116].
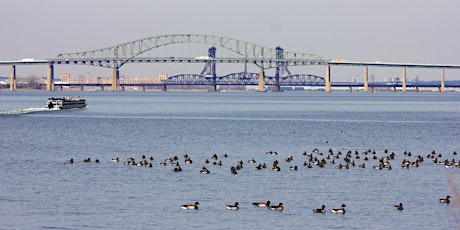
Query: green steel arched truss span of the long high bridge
[135,51]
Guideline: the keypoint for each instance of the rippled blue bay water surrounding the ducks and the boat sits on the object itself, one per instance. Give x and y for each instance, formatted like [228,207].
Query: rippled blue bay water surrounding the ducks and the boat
[39,190]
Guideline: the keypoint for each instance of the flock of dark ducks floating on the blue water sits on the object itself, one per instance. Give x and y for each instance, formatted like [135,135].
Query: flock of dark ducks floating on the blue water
[340,160]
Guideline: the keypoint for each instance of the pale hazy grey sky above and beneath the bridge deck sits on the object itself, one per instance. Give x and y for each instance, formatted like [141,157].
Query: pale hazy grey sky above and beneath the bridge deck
[409,31]
